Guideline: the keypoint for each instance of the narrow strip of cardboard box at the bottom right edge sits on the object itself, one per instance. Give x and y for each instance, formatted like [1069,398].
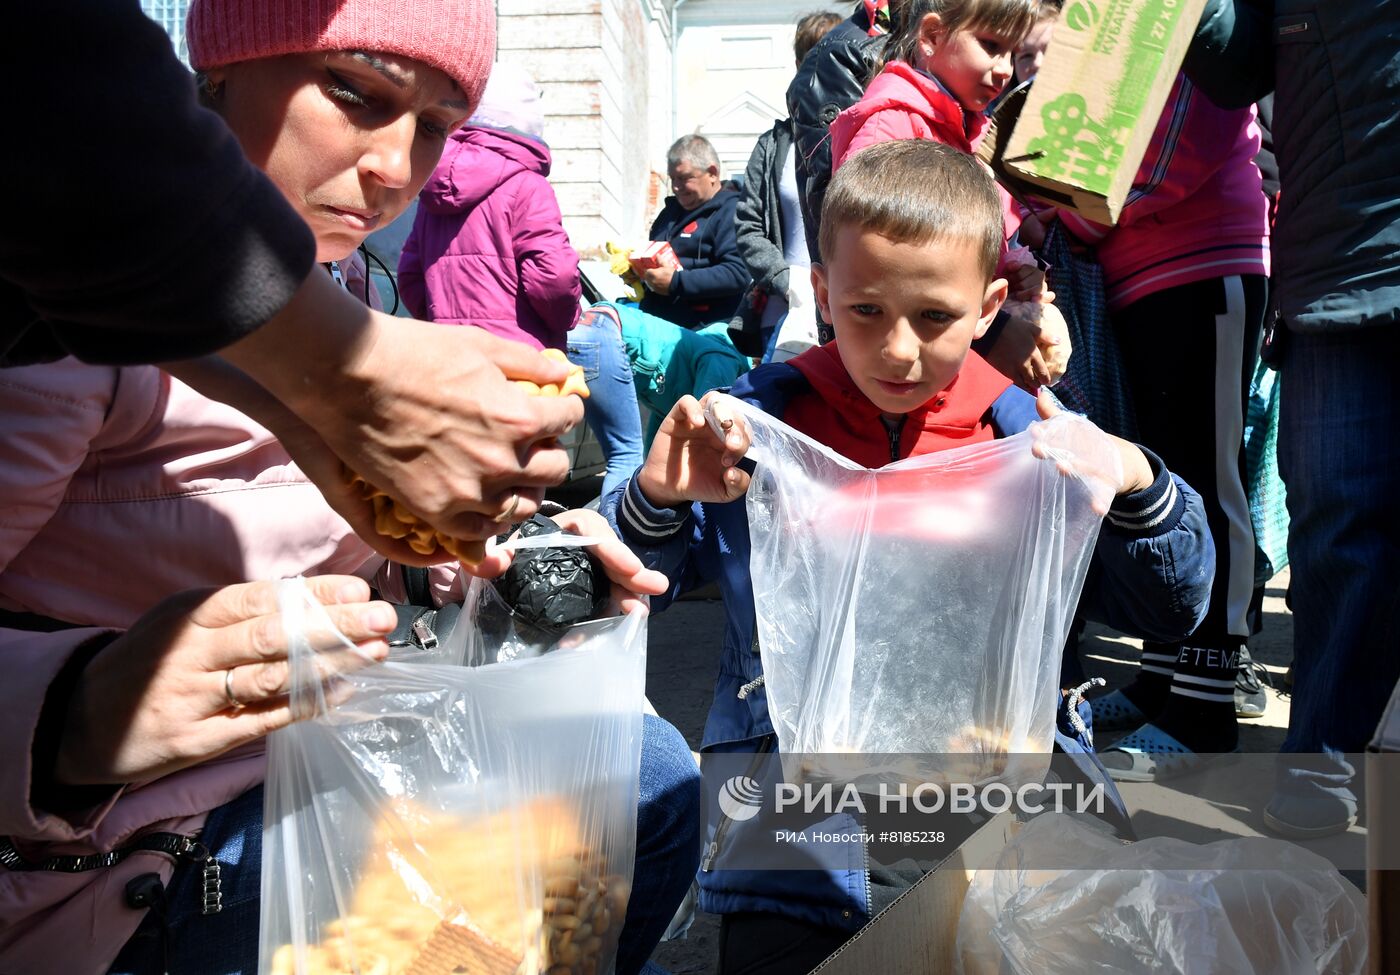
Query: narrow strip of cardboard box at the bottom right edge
[1384,845]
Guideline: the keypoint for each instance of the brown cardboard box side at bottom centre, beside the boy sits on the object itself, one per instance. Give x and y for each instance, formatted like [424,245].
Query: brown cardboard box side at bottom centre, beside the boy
[918,935]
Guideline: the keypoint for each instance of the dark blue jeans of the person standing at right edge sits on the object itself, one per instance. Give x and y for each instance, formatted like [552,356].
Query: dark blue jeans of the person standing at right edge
[1339,415]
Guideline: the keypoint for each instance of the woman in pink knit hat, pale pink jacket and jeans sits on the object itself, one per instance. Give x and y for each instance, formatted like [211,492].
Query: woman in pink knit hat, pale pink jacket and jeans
[145,749]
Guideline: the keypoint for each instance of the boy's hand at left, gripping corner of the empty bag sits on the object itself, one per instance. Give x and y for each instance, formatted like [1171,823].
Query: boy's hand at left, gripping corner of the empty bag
[689,463]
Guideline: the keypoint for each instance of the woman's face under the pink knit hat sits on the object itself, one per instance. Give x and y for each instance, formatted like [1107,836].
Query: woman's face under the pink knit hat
[348,137]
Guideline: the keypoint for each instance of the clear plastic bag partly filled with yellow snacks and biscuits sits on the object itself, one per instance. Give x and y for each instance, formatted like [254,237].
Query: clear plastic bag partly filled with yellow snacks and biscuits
[437,819]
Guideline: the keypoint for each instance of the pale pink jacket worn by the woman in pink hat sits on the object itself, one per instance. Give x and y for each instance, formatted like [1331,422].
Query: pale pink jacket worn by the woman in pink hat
[122,487]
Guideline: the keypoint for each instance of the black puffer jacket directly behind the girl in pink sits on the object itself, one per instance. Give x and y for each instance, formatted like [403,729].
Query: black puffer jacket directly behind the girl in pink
[832,78]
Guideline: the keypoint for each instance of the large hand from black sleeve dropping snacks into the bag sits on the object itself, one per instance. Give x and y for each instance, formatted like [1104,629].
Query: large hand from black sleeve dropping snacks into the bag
[428,414]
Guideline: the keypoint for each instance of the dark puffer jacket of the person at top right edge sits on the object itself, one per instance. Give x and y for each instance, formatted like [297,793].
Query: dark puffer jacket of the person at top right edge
[1335,69]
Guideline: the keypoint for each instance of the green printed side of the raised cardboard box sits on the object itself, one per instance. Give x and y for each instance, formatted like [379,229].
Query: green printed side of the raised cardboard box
[1083,144]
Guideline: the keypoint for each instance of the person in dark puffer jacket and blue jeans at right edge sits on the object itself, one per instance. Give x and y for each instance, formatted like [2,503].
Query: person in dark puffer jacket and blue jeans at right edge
[1335,69]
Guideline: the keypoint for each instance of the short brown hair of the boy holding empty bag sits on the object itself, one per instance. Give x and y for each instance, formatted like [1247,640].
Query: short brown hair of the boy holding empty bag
[916,193]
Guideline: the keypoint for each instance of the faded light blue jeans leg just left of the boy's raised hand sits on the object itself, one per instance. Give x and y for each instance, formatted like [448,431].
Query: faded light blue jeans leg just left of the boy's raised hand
[611,410]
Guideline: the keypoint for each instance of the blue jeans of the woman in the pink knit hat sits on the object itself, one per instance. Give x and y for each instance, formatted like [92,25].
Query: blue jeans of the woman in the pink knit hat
[668,854]
